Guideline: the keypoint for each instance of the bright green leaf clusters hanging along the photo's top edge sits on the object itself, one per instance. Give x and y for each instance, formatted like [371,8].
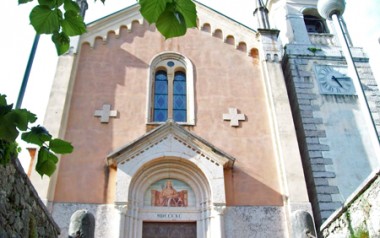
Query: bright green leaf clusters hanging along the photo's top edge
[62,19]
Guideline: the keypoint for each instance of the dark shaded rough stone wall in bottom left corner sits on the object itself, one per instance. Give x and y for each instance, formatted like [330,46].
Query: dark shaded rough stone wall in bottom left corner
[22,214]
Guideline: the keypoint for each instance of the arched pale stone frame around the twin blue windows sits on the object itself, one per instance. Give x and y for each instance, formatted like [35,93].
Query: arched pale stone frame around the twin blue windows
[181,63]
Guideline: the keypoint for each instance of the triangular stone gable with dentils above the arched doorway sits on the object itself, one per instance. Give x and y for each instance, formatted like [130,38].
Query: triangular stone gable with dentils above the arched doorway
[171,138]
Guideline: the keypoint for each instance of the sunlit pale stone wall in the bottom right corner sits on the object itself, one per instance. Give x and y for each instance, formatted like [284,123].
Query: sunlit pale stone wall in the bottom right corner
[360,216]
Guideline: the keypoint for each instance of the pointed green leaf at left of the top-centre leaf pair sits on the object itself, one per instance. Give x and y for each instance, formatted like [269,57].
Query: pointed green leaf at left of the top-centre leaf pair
[151,10]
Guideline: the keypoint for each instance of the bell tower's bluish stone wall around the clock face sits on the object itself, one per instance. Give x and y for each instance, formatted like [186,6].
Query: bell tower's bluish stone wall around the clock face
[332,131]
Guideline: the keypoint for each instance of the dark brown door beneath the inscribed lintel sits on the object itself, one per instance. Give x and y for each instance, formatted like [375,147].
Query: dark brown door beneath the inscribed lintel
[169,230]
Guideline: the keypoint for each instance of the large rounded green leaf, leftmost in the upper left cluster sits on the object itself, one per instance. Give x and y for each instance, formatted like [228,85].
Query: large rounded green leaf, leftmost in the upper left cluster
[45,20]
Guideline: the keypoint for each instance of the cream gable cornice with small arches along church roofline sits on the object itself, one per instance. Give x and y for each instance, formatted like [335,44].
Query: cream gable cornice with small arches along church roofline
[209,20]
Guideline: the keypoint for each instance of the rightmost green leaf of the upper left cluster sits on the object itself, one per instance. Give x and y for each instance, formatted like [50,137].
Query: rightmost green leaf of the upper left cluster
[73,24]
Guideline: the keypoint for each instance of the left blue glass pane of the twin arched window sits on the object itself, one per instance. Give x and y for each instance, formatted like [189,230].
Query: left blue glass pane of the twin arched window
[160,96]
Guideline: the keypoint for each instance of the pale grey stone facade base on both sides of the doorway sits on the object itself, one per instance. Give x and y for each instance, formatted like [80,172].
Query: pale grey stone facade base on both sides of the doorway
[246,221]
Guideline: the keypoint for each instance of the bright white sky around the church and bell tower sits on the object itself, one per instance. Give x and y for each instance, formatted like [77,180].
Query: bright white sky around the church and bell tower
[362,19]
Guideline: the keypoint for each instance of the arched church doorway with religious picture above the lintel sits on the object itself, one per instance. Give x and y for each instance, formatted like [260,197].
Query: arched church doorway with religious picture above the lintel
[171,191]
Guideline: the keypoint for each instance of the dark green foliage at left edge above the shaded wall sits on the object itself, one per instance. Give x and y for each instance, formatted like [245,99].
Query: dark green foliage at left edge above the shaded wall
[16,121]
